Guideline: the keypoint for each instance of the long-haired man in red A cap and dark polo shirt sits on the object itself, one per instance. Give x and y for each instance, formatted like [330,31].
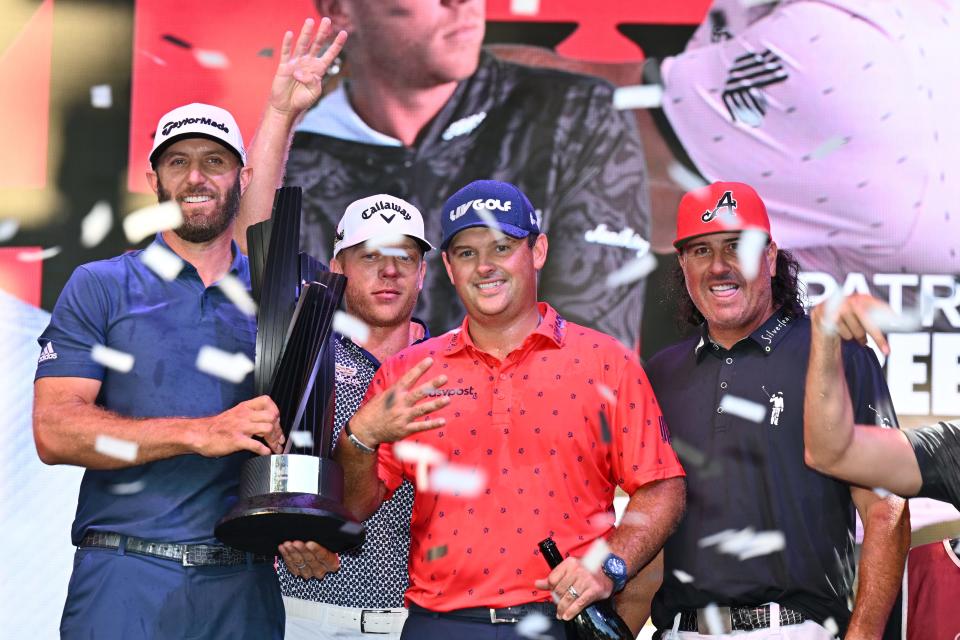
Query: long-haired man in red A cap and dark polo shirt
[747,474]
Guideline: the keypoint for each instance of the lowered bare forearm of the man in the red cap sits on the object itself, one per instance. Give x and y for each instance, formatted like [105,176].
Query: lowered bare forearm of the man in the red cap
[886,541]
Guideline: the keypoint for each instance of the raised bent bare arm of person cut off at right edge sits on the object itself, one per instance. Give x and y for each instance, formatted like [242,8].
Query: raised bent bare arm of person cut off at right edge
[833,443]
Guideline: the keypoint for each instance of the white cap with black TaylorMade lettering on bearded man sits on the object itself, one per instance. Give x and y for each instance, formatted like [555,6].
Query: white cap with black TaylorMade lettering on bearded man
[198,120]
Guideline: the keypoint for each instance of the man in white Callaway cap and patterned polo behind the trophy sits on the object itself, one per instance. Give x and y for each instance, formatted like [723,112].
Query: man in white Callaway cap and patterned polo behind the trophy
[380,247]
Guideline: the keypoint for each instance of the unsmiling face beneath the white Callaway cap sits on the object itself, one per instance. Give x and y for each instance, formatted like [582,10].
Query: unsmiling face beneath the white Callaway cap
[382,290]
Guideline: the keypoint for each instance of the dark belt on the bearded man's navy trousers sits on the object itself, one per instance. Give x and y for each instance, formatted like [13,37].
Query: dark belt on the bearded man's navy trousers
[189,555]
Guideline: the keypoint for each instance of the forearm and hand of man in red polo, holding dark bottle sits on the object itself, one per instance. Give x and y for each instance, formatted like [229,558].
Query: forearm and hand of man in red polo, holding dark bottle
[650,516]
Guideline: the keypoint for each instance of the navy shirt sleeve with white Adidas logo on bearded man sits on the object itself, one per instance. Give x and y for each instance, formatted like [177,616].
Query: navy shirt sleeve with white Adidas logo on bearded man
[78,322]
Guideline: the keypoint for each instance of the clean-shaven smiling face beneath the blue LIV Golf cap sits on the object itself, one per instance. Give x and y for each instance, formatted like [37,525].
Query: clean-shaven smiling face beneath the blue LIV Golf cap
[496,278]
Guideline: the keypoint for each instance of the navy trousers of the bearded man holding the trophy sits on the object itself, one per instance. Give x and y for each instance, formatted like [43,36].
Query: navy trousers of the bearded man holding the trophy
[115,595]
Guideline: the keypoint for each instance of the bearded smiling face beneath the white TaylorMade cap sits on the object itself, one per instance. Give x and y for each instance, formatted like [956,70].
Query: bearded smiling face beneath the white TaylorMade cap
[206,180]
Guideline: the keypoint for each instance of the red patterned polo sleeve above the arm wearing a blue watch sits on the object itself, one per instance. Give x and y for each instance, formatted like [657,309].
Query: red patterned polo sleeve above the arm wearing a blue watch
[641,440]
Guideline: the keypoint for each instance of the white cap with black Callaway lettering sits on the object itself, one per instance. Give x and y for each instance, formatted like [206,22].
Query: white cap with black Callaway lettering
[379,217]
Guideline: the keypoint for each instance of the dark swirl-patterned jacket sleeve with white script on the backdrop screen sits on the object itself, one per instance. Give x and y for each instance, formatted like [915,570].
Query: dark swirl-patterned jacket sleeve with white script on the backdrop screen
[601,191]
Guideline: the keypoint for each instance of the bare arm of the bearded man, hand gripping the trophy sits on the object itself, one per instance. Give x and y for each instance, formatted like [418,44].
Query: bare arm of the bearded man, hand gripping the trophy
[67,421]
